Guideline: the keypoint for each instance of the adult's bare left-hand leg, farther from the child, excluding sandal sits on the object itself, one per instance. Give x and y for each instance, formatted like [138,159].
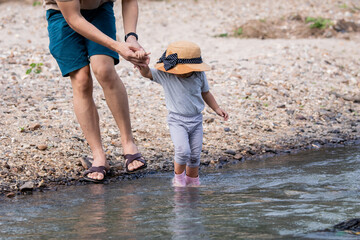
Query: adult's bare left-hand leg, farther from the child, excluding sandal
[87,115]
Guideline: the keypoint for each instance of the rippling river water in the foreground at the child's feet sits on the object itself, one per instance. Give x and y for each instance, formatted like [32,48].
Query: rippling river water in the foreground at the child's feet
[286,197]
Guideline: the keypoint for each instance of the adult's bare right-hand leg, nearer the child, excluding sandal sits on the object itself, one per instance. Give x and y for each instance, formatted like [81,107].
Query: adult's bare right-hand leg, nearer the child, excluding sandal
[117,100]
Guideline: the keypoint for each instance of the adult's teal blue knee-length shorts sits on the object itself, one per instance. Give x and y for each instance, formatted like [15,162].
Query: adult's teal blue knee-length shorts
[73,51]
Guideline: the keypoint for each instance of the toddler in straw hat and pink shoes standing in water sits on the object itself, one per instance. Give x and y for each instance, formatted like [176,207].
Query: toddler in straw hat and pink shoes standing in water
[180,71]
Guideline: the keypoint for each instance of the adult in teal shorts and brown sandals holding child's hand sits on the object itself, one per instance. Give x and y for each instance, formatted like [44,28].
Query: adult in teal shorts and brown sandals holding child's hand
[82,34]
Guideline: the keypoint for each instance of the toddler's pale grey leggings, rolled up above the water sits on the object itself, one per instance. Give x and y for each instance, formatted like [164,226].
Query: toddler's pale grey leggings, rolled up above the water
[187,135]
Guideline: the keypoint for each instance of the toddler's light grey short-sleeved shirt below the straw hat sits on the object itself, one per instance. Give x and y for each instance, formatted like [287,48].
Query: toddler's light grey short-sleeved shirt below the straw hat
[182,95]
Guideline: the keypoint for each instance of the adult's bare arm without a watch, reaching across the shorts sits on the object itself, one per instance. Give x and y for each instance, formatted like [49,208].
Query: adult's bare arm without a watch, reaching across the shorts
[72,15]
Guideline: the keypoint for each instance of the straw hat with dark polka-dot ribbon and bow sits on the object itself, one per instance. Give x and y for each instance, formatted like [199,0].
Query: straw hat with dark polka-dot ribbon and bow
[182,57]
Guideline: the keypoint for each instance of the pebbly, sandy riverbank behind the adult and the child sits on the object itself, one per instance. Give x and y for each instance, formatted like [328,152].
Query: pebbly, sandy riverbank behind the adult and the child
[282,94]
